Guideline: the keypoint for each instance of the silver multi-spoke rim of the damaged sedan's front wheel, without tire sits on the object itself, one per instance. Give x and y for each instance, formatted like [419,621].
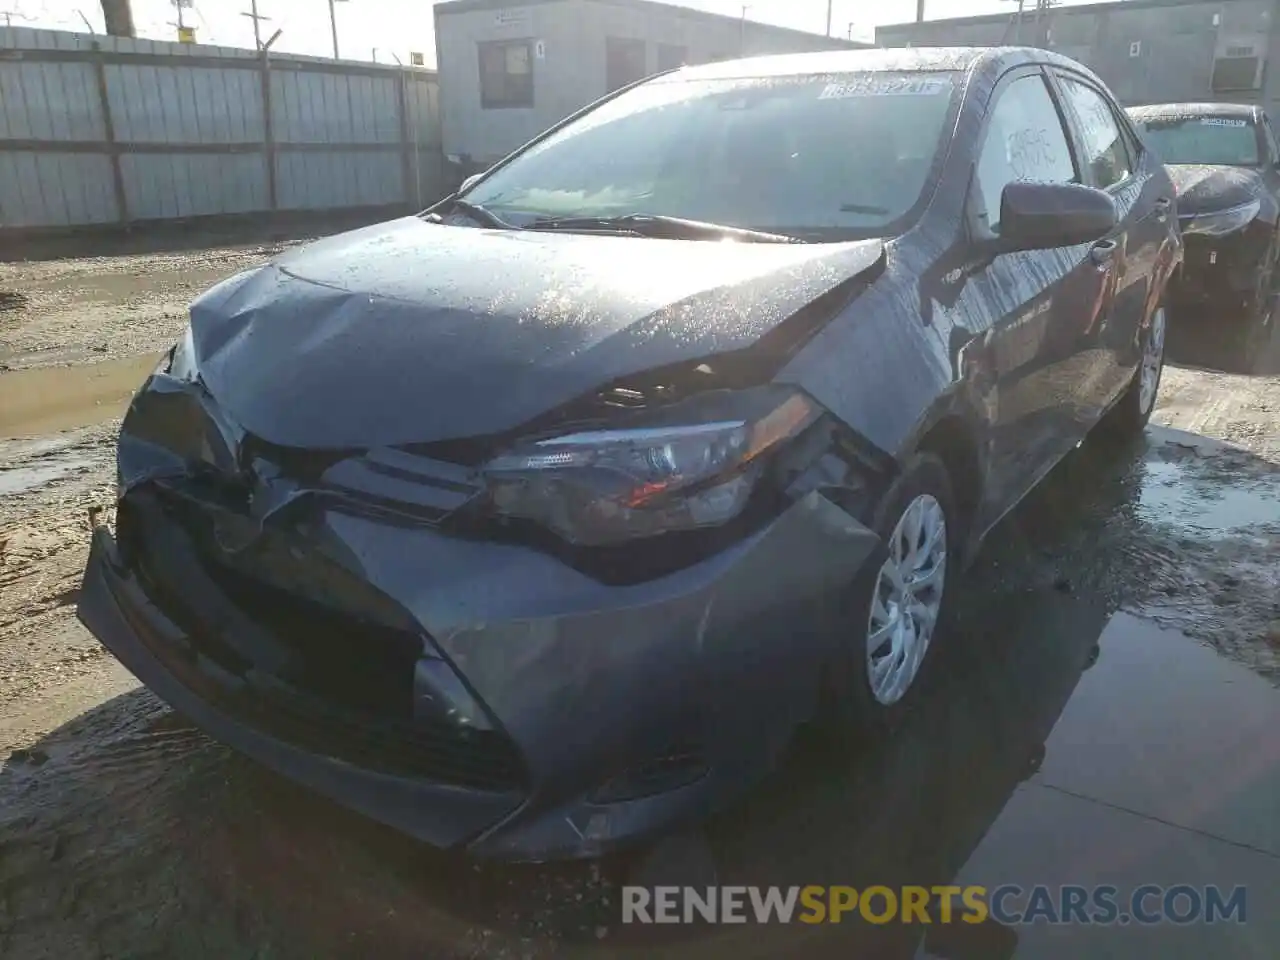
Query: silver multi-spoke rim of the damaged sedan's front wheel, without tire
[907,600]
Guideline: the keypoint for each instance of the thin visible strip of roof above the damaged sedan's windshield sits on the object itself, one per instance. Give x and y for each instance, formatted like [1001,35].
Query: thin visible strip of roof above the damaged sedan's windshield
[880,60]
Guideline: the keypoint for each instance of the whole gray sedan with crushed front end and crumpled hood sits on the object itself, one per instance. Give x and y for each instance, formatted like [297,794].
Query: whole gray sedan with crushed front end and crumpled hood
[536,524]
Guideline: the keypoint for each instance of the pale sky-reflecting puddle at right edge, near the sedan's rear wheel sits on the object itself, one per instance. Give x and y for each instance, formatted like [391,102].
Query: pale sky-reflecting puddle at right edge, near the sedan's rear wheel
[1178,492]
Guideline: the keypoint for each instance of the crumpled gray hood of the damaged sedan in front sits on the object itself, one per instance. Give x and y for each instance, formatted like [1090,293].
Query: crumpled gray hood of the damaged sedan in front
[412,332]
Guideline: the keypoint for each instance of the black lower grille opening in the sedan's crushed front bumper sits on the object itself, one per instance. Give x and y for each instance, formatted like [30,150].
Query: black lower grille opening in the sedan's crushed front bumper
[348,692]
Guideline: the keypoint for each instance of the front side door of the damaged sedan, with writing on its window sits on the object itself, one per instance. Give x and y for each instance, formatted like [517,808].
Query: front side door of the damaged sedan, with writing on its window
[1040,301]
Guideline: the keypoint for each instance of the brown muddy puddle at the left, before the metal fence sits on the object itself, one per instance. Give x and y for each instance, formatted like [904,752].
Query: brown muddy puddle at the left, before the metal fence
[47,400]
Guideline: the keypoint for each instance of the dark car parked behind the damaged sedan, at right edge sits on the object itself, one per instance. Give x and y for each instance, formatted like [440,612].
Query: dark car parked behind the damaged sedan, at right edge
[1226,163]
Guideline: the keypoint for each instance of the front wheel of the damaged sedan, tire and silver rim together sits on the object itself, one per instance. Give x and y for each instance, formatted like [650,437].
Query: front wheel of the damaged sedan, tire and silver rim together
[897,610]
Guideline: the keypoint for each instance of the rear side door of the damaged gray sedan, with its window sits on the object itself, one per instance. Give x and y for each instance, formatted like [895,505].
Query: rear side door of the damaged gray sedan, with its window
[1113,161]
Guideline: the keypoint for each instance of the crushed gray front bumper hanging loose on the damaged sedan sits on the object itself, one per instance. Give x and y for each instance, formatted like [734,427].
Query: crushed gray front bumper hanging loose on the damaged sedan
[587,685]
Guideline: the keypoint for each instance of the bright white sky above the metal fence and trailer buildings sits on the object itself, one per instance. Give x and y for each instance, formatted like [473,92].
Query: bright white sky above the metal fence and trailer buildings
[386,30]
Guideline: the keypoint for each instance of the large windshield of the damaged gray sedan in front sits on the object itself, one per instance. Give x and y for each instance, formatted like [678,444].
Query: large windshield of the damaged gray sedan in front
[821,158]
